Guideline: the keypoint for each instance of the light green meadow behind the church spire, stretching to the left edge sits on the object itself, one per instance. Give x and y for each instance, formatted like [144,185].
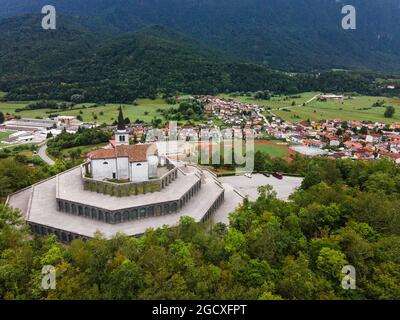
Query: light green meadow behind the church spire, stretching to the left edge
[146,110]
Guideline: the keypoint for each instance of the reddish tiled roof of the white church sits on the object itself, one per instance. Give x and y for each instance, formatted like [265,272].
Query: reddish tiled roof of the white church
[135,153]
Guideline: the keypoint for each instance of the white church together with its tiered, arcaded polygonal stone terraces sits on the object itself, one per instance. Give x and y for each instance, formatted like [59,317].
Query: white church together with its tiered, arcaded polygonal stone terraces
[120,189]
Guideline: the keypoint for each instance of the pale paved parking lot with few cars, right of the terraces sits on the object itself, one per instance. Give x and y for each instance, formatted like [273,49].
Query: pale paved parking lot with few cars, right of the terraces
[248,186]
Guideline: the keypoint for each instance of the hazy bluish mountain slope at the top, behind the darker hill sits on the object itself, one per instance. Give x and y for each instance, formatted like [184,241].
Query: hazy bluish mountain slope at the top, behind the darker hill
[283,34]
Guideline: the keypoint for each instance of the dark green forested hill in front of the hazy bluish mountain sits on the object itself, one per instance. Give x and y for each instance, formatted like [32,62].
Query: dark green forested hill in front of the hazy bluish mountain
[57,64]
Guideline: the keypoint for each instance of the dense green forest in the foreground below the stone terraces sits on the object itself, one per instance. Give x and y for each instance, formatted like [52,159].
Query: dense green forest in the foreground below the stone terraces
[344,213]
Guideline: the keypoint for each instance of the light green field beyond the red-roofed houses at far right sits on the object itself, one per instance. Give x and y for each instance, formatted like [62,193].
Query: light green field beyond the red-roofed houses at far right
[358,108]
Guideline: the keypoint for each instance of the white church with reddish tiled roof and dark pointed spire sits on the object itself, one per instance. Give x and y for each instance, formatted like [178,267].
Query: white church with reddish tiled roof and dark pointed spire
[122,161]
